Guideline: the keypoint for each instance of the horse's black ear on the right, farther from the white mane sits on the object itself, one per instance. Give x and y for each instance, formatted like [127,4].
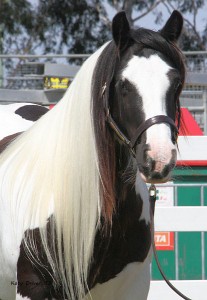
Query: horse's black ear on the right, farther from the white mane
[173,27]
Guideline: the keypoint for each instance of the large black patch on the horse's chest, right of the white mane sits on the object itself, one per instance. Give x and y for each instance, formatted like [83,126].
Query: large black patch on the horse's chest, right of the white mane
[128,241]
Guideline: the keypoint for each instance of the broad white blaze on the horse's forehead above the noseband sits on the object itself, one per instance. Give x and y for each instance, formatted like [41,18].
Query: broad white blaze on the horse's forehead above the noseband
[150,77]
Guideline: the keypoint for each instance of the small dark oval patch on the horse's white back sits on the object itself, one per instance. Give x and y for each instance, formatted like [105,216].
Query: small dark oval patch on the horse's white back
[31,112]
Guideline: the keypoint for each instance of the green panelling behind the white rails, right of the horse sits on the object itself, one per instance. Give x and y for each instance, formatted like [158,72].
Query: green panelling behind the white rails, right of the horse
[189,244]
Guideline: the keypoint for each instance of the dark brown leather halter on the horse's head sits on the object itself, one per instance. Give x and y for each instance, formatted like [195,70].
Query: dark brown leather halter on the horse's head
[131,143]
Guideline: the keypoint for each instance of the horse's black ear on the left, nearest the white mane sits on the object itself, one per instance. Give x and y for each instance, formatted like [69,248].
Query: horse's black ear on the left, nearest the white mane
[121,30]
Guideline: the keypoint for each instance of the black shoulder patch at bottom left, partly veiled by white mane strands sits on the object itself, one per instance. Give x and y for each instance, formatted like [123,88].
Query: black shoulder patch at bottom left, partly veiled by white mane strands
[34,278]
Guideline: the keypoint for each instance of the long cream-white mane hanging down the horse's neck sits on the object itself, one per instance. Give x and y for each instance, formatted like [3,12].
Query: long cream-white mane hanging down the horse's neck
[53,169]
